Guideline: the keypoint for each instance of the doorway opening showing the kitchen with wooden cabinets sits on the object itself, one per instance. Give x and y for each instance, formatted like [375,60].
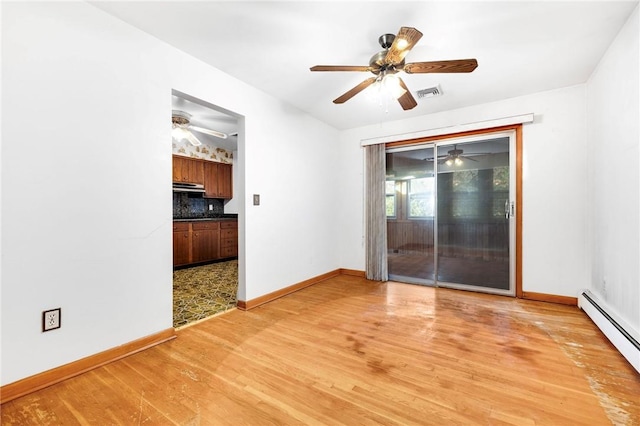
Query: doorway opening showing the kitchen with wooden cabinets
[207,209]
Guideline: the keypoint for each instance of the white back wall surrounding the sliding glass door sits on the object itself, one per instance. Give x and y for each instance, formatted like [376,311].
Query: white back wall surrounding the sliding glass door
[554,184]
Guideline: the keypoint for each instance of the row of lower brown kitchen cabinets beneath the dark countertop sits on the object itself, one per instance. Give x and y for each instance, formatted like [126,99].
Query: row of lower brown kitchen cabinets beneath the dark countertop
[204,241]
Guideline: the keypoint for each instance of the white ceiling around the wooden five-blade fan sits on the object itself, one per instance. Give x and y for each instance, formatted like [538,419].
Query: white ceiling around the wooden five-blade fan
[521,47]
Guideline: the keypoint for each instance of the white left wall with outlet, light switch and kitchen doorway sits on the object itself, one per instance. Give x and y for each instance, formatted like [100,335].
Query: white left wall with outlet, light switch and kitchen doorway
[86,183]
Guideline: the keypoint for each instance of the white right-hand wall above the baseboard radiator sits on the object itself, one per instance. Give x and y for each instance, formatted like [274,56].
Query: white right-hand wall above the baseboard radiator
[614,177]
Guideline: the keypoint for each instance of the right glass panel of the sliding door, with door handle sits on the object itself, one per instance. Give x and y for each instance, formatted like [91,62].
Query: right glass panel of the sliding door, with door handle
[473,241]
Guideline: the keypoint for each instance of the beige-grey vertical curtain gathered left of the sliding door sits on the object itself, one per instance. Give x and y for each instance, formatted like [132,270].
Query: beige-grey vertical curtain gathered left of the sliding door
[376,216]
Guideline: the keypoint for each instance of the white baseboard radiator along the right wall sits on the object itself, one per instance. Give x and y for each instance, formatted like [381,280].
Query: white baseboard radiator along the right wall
[621,335]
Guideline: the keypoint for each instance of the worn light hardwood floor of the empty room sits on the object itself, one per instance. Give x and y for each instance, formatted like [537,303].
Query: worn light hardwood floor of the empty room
[349,351]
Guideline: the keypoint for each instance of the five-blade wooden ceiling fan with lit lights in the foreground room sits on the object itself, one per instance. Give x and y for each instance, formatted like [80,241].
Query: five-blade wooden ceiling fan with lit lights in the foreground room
[390,60]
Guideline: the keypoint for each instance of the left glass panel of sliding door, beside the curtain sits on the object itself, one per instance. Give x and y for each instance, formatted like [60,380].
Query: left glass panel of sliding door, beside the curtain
[410,215]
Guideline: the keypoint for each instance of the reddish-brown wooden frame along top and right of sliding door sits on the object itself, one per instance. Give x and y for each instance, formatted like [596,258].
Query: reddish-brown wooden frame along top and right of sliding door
[518,132]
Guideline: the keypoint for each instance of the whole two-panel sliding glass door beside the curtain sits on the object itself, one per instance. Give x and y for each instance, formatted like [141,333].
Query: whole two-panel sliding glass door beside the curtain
[450,215]
